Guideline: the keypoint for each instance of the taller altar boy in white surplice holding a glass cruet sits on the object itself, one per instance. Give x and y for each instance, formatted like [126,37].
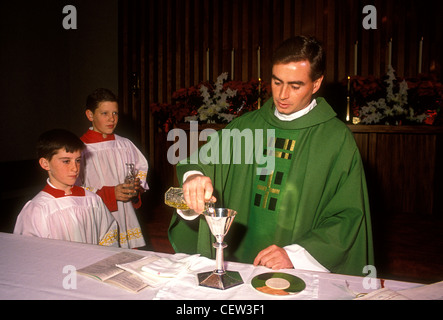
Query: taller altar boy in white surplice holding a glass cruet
[105,159]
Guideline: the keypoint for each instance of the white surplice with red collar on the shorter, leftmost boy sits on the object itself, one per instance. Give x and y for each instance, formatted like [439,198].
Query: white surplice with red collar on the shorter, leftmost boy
[80,217]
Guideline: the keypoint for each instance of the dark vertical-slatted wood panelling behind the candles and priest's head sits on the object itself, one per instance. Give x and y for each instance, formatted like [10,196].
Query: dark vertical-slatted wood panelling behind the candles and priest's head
[163,44]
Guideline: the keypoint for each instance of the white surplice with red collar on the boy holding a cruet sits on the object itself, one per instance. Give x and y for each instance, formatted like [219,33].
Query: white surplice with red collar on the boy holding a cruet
[104,166]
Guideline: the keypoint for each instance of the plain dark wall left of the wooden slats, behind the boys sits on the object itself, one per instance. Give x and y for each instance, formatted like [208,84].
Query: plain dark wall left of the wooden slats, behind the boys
[46,72]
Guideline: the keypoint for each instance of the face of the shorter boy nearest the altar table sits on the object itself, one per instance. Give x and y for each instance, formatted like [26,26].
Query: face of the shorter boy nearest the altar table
[63,168]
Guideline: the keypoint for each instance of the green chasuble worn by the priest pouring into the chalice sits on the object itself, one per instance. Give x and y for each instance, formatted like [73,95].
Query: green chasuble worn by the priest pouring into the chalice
[313,193]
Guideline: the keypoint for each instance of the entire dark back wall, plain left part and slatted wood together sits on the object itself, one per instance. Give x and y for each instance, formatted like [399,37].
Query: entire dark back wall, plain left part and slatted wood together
[47,71]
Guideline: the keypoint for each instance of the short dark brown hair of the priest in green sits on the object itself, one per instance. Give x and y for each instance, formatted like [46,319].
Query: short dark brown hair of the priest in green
[302,48]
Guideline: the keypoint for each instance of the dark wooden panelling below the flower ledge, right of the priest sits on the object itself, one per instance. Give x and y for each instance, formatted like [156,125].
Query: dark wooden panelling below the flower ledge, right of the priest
[402,167]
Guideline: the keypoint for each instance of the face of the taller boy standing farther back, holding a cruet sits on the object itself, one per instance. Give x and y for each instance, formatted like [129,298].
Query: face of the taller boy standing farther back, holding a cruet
[104,119]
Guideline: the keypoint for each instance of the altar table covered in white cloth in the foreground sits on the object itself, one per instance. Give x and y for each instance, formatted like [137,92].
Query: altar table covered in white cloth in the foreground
[41,269]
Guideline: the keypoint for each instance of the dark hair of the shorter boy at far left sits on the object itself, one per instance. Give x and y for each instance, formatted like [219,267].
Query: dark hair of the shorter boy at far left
[51,141]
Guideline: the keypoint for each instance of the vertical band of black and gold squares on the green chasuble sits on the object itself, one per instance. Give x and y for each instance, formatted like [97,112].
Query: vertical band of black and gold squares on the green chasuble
[269,184]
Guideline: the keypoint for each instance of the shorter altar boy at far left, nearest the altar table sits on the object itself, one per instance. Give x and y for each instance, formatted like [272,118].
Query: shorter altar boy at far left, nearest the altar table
[62,210]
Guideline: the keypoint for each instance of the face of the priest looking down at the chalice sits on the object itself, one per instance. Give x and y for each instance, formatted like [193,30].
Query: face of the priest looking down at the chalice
[292,86]
